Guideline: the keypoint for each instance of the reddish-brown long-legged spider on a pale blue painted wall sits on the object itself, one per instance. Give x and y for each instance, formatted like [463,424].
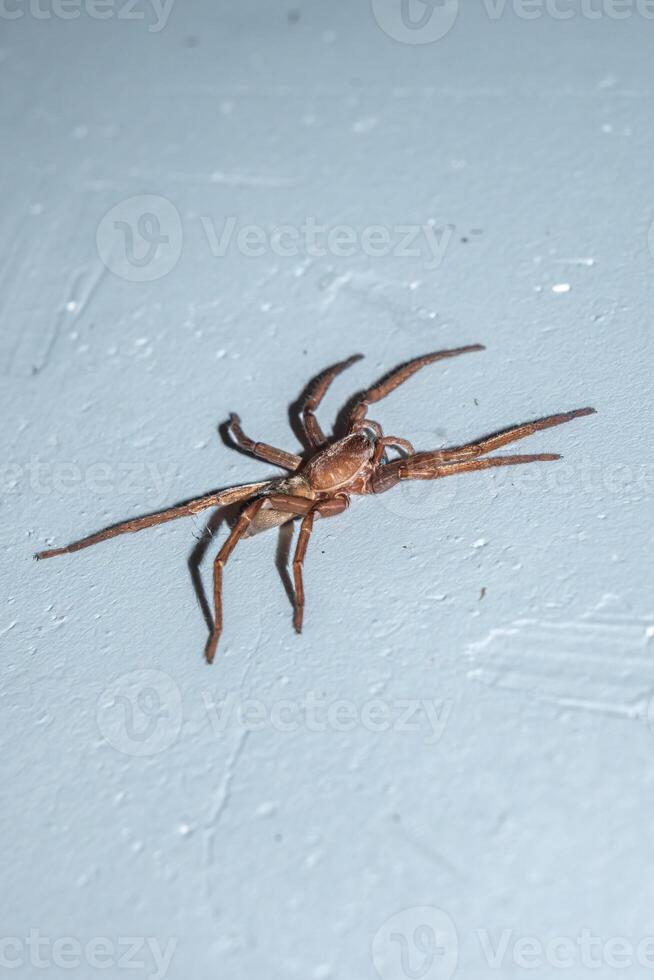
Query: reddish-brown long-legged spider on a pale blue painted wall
[321,485]
